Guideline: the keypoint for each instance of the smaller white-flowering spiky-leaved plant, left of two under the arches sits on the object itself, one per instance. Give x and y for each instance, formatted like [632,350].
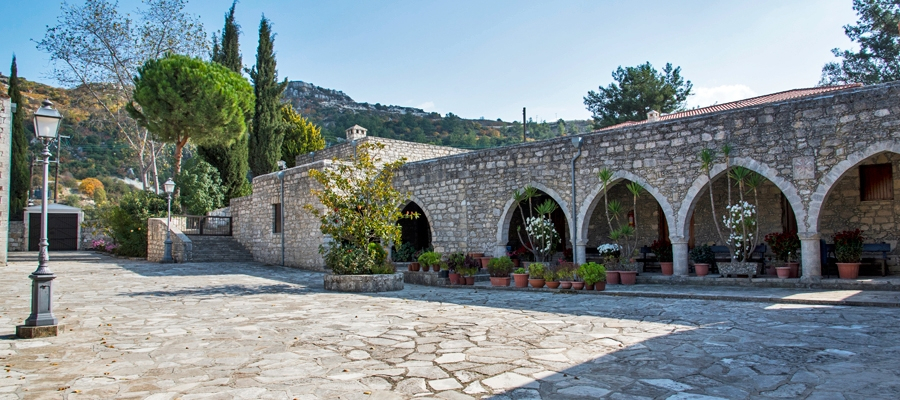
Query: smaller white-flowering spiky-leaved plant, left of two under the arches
[540,234]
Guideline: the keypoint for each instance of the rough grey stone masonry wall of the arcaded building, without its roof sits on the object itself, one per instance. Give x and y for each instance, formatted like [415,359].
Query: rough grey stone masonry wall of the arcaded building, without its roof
[803,147]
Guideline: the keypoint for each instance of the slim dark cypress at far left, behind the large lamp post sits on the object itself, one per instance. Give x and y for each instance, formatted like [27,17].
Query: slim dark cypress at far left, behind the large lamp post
[19,170]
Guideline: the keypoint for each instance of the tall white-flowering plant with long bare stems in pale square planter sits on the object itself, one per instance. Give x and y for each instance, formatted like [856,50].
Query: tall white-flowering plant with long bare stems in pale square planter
[740,219]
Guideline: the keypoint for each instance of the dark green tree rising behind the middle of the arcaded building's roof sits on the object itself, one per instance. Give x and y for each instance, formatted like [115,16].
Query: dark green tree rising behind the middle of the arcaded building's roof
[636,91]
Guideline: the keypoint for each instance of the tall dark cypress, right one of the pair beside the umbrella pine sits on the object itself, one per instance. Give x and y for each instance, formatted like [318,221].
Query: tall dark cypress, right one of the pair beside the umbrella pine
[266,133]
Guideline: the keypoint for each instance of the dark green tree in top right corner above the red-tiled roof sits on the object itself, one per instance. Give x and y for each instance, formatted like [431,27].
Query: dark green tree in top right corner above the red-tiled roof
[878,58]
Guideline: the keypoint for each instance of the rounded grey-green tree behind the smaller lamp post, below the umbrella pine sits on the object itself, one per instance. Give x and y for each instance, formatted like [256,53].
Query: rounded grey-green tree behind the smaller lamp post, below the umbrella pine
[201,187]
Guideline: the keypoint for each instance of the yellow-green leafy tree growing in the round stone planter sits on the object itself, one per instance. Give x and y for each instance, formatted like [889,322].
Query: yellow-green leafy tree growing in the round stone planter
[360,210]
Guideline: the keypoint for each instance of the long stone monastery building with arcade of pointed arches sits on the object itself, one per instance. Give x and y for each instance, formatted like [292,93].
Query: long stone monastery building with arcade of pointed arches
[830,157]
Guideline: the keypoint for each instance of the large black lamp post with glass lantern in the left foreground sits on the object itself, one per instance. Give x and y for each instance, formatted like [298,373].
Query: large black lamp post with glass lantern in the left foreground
[41,322]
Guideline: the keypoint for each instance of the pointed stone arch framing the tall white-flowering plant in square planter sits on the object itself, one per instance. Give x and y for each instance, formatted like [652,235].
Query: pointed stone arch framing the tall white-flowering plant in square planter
[697,189]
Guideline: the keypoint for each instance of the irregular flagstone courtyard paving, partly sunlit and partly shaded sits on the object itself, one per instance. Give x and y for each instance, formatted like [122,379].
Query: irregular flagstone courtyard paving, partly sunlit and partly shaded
[190,331]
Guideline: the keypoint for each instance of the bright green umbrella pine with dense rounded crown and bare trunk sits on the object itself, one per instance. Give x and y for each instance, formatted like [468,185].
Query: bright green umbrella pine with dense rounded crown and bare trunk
[179,98]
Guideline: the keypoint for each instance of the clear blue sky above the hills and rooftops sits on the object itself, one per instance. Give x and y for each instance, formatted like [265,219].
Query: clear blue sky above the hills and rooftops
[491,58]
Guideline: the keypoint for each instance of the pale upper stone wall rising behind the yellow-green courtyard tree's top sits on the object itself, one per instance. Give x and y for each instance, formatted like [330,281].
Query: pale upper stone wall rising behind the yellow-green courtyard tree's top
[393,150]
